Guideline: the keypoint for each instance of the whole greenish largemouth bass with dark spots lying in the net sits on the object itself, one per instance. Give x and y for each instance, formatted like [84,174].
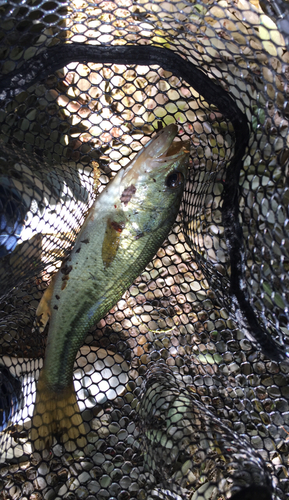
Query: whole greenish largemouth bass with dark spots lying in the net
[124,229]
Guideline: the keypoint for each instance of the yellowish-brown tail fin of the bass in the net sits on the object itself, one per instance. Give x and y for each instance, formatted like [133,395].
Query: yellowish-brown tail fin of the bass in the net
[56,414]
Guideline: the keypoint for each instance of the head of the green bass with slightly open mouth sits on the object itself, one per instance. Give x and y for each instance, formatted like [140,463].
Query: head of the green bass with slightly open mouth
[154,182]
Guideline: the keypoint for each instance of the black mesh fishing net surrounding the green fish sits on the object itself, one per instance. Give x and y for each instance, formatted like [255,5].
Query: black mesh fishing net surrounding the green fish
[183,386]
